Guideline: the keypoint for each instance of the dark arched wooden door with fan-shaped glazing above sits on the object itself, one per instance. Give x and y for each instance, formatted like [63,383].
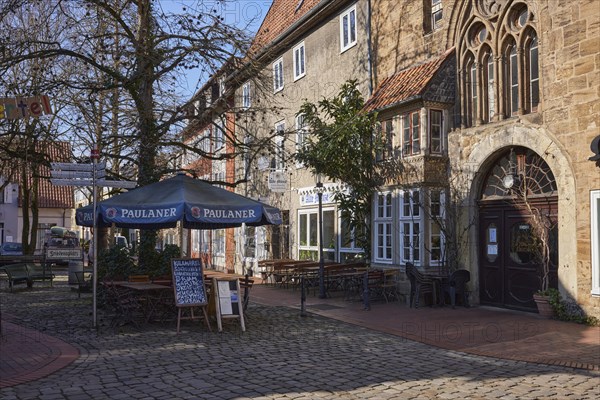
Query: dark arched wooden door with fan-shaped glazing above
[519,192]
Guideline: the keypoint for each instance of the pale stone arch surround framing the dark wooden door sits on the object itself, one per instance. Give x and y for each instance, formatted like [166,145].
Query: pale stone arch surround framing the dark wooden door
[476,157]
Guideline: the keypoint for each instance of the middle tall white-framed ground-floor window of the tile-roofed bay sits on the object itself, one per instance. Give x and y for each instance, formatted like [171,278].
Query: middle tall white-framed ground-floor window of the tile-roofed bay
[410,226]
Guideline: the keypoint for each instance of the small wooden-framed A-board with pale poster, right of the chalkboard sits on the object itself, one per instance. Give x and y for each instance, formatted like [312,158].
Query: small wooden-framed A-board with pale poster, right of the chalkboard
[228,300]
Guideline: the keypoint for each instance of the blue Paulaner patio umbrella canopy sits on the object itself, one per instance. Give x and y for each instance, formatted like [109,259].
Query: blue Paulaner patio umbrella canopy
[196,203]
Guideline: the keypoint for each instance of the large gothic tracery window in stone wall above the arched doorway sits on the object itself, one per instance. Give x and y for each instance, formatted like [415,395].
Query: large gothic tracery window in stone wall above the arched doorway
[499,63]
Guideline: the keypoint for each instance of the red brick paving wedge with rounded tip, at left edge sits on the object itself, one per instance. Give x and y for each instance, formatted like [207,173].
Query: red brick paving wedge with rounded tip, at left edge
[27,355]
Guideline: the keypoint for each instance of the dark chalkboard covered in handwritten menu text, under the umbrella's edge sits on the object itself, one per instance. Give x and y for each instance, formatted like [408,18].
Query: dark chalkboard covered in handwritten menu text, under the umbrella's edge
[188,282]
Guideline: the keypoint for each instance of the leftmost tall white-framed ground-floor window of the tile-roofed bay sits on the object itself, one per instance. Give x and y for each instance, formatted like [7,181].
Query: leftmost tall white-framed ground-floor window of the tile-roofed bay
[383,228]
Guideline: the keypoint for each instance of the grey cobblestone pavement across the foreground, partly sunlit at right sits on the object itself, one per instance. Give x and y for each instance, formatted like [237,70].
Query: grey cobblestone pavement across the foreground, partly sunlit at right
[280,356]
